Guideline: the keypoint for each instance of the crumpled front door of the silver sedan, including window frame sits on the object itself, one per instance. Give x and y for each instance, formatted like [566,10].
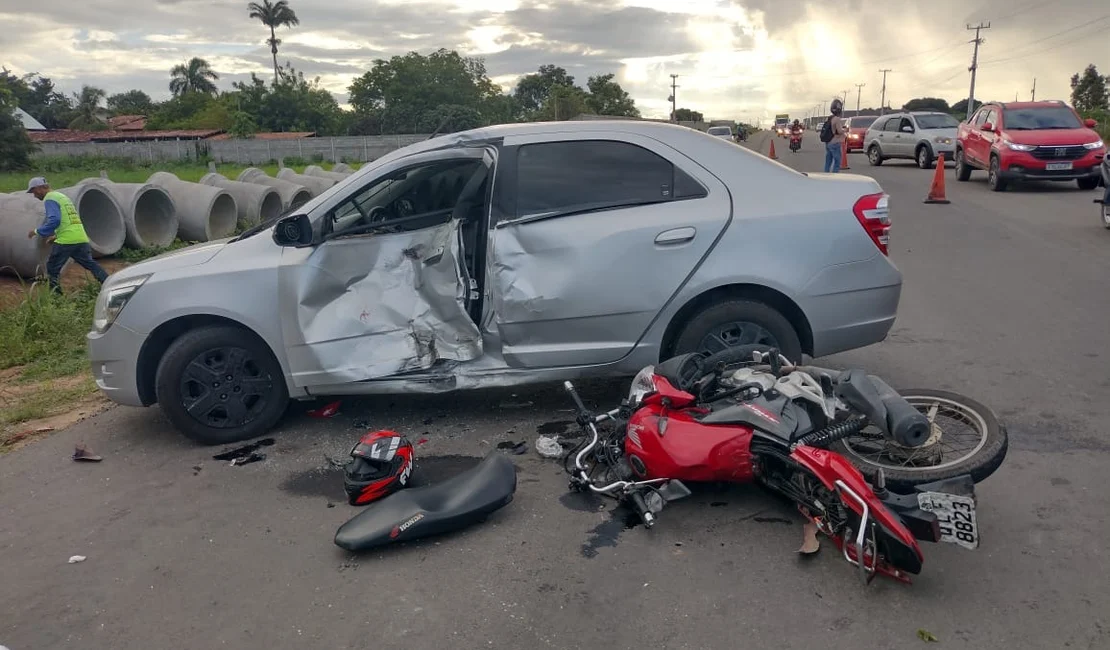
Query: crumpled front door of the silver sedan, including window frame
[386,291]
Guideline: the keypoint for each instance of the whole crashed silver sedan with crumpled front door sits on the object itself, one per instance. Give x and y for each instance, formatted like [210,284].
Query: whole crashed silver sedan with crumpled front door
[501,257]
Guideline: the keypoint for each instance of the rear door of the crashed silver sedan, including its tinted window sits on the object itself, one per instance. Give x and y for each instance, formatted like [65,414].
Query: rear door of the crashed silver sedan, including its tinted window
[591,240]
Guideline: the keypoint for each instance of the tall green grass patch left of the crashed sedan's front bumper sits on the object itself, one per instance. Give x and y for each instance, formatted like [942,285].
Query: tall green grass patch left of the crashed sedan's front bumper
[45,333]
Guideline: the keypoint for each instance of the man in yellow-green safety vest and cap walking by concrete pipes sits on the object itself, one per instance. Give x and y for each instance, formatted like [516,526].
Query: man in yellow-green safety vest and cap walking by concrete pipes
[64,228]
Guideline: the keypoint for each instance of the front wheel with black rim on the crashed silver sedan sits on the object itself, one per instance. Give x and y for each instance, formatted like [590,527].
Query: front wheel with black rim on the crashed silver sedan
[231,362]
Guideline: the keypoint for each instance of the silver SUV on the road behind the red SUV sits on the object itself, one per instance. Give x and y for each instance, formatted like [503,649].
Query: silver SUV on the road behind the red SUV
[917,136]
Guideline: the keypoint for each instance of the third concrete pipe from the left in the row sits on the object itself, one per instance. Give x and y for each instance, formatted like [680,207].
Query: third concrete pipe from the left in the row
[149,215]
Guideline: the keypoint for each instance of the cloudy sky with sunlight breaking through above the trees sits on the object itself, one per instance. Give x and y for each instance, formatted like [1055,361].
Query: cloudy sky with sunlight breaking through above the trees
[740,59]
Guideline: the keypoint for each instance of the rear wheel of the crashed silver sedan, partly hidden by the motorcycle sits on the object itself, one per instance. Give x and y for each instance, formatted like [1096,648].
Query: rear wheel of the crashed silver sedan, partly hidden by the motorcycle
[769,327]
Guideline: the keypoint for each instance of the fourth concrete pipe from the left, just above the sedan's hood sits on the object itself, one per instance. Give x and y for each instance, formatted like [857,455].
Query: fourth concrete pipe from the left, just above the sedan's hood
[205,214]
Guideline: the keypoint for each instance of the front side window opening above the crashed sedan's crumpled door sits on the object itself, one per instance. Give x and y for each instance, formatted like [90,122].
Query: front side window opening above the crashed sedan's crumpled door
[429,189]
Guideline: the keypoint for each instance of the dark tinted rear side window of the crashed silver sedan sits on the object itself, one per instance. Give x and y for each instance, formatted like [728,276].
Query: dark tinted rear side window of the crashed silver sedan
[560,178]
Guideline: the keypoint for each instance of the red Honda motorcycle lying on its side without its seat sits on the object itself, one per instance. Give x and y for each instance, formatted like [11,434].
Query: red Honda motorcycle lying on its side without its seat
[748,415]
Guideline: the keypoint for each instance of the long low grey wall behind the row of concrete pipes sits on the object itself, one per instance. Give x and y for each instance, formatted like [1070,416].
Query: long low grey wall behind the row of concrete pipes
[350,148]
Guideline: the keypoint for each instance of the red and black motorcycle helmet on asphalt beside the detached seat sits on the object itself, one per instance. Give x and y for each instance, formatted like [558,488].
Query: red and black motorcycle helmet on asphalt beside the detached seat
[380,465]
